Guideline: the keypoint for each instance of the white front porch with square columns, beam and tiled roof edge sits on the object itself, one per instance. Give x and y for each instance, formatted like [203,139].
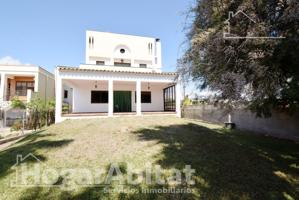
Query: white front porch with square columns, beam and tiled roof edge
[115,95]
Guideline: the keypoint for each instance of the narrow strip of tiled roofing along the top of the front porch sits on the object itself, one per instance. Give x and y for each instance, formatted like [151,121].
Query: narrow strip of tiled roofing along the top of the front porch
[68,68]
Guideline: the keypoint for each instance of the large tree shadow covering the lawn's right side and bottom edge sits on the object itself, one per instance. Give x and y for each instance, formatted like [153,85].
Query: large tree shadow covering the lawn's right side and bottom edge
[228,164]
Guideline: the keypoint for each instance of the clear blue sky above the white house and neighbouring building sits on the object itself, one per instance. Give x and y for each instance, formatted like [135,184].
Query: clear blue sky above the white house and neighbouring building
[52,32]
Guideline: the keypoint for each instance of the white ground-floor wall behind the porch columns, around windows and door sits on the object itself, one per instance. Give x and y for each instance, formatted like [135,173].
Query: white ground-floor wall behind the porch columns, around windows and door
[82,96]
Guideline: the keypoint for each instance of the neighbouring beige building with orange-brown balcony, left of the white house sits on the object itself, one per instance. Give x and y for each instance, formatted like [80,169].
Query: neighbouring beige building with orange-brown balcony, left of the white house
[23,80]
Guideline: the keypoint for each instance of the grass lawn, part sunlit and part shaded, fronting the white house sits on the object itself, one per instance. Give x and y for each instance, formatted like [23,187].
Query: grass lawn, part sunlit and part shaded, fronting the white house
[228,164]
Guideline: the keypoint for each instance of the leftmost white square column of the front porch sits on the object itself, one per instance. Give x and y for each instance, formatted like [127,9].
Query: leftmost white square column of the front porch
[58,94]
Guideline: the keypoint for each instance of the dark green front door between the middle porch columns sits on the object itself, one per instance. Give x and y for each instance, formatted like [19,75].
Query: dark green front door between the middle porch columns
[122,101]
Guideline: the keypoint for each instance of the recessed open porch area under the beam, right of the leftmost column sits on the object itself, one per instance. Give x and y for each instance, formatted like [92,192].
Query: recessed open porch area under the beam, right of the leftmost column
[89,98]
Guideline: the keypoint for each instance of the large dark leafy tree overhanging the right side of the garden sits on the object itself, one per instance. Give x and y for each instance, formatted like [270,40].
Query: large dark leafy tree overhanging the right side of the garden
[260,73]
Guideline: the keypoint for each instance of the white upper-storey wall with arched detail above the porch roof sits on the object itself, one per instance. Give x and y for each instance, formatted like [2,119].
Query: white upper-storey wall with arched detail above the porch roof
[106,47]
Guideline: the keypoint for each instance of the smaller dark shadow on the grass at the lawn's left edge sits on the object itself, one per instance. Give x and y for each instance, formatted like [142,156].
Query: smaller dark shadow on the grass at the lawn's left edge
[30,144]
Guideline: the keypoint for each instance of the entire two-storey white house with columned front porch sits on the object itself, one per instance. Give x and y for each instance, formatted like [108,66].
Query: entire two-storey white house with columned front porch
[122,74]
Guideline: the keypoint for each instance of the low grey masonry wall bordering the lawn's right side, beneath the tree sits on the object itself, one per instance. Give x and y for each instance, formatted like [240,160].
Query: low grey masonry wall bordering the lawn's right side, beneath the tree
[279,125]
